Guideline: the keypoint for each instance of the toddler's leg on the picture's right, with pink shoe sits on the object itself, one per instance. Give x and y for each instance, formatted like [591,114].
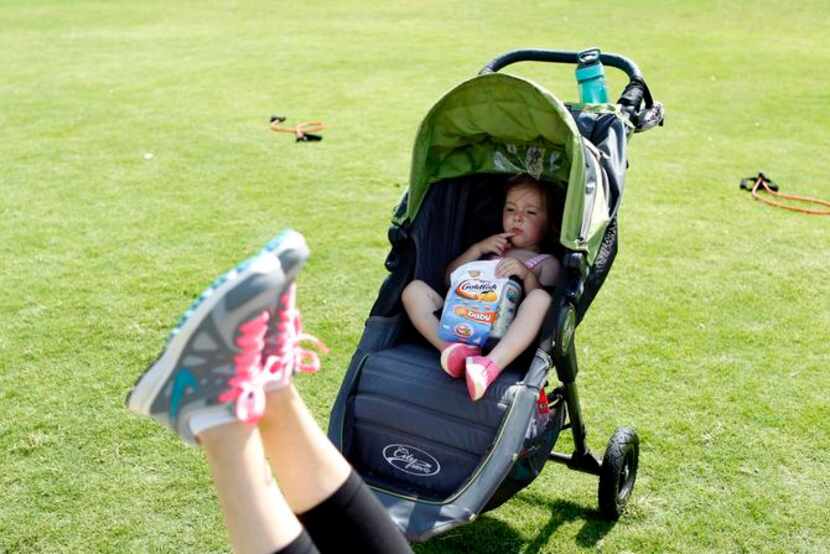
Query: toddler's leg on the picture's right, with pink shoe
[483,370]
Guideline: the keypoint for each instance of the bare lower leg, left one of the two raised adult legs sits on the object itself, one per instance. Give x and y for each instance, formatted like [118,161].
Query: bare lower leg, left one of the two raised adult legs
[257,515]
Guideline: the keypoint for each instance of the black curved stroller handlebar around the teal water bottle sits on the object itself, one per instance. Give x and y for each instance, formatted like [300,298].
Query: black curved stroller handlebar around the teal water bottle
[635,93]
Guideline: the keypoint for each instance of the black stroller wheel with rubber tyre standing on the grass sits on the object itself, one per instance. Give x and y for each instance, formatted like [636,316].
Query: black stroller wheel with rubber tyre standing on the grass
[618,472]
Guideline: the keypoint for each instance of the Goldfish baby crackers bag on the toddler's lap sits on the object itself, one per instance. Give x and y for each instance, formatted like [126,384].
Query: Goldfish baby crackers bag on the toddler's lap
[479,306]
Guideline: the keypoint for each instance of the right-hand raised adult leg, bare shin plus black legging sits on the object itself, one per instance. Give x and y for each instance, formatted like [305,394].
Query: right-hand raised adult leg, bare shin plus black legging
[334,505]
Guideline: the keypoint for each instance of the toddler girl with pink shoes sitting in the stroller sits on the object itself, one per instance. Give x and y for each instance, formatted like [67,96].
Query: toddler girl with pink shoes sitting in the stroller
[526,222]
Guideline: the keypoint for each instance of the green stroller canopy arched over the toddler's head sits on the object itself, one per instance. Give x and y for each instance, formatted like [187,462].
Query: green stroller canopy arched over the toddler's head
[499,123]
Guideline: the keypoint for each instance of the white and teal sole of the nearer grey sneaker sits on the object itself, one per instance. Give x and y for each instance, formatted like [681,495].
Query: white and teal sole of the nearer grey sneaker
[148,386]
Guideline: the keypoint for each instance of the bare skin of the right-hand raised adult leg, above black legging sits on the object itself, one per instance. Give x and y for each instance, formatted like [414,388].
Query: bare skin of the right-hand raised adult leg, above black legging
[307,465]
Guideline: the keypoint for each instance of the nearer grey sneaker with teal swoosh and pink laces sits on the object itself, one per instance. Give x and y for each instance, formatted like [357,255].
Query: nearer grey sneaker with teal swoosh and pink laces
[211,372]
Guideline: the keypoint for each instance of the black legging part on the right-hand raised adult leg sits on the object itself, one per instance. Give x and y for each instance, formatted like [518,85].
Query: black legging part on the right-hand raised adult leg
[353,520]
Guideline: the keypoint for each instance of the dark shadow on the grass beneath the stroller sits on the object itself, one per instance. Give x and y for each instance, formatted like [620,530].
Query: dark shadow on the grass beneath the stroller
[489,535]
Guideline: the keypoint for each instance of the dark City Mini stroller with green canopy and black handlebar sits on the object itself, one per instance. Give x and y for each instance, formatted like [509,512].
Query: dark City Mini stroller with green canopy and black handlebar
[434,458]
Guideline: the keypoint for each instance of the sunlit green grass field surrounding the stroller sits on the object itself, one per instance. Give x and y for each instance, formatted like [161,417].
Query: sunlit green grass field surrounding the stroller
[710,335]
